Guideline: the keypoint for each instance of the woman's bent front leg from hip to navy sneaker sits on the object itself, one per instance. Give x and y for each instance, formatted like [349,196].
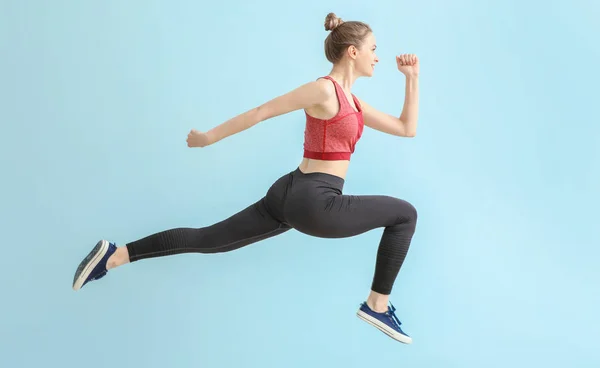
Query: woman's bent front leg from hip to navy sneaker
[317,207]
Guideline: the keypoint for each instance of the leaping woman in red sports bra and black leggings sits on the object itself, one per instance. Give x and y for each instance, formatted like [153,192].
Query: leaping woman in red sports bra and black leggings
[308,199]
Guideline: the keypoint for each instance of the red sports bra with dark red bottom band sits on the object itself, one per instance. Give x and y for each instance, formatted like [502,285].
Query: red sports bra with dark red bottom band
[335,138]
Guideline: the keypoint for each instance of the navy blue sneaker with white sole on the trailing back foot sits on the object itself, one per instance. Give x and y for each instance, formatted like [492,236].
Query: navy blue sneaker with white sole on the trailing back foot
[93,266]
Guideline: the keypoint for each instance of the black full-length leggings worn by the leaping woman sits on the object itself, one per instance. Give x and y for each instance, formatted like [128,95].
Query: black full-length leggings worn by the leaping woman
[311,203]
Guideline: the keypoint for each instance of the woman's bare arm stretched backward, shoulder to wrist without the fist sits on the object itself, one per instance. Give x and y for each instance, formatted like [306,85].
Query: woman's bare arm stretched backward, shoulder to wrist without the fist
[305,96]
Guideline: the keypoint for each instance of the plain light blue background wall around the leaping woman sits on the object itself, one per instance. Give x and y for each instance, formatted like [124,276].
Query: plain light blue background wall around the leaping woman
[97,98]
